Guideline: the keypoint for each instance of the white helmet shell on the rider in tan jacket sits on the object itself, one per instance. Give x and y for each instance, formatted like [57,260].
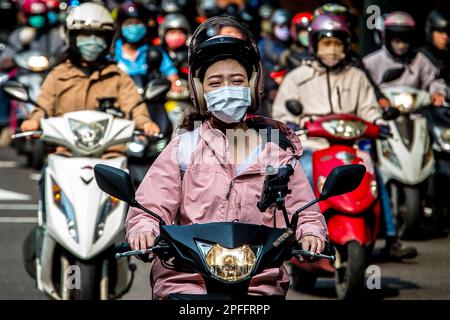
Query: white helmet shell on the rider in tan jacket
[89,16]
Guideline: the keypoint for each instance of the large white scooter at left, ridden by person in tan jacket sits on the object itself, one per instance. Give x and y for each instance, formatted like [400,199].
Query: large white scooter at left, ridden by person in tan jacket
[70,253]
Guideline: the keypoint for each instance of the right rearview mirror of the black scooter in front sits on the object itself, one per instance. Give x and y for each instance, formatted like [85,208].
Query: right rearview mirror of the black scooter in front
[342,179]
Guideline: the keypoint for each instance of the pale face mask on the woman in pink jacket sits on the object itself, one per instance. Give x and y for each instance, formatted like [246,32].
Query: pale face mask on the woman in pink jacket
[228,104]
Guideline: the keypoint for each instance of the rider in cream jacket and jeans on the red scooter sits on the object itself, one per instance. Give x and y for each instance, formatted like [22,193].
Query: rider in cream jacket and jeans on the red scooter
[331,84]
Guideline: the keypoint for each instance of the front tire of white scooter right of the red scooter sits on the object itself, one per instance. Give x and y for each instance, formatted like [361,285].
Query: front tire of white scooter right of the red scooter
[411,217]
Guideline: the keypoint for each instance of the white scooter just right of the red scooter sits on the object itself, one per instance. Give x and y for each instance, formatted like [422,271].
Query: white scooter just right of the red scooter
[406,159]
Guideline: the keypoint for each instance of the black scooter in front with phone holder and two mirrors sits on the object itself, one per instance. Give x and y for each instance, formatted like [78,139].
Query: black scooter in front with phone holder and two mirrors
[229,254]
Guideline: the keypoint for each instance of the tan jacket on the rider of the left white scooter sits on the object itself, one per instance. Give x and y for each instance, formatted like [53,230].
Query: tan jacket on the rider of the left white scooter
[67,88]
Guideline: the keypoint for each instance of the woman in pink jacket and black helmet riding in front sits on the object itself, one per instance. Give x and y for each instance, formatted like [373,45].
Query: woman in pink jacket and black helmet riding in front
[214,172]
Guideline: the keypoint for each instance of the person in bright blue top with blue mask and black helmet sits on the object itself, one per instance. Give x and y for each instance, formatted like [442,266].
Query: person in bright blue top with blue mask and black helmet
[132,50]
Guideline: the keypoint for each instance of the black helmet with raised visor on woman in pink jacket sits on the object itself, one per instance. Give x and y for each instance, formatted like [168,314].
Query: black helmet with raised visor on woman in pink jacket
[209,45]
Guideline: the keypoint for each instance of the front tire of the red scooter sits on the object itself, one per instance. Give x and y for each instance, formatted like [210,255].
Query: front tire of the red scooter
[349,279]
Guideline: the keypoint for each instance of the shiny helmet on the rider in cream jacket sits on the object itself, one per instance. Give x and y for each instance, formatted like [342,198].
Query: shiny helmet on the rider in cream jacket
[329,25]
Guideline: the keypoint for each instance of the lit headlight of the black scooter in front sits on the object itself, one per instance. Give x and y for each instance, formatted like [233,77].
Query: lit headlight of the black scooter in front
[229,264]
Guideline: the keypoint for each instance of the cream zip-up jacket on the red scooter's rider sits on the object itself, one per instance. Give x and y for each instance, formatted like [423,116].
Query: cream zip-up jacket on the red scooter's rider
[323,92]
